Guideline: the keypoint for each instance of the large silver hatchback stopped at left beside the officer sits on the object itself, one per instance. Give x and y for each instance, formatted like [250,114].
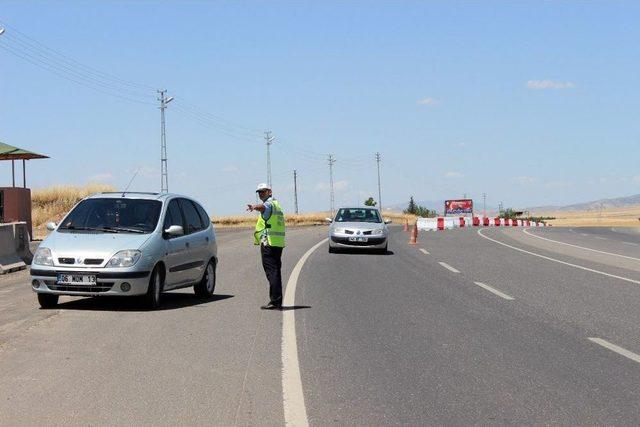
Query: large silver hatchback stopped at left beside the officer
[127,244]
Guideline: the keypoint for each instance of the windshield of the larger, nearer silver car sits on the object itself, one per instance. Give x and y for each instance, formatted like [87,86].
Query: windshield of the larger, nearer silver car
[112,215]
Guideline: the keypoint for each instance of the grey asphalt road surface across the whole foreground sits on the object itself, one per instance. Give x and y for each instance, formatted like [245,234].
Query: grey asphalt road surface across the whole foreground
[469,327]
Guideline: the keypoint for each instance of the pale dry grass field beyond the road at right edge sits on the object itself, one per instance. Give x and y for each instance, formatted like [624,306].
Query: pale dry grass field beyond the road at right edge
[614,217]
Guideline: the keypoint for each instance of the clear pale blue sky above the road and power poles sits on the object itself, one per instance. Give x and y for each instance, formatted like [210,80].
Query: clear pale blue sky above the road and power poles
[533,103]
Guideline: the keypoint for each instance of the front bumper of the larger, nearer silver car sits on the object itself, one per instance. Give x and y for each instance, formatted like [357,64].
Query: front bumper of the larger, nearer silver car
[108,282]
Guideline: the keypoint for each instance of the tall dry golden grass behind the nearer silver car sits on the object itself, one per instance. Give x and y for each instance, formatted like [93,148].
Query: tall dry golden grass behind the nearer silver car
[52,203]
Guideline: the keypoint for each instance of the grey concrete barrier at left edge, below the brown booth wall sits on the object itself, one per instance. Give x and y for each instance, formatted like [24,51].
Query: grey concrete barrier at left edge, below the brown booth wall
[14,242]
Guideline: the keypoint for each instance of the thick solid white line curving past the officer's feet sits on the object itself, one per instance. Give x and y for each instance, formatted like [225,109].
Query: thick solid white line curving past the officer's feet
[295,411]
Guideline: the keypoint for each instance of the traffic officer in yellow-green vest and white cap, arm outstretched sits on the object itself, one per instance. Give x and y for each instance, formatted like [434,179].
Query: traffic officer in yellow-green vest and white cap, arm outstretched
[269,234]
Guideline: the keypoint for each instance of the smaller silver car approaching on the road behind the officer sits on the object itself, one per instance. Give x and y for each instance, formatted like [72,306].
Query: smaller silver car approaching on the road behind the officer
[361,228]
